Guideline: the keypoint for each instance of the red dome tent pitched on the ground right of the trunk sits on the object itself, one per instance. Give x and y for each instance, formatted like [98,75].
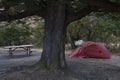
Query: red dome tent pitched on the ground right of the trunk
[91,50]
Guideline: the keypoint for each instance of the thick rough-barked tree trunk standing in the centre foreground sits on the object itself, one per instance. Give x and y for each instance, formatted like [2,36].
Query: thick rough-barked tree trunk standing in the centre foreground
[53,55]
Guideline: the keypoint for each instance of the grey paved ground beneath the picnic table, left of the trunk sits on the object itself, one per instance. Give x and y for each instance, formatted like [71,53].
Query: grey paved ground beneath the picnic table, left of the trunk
[18,59]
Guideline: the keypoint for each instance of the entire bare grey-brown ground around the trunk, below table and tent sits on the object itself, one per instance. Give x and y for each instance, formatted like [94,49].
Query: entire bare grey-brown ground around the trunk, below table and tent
[78,68]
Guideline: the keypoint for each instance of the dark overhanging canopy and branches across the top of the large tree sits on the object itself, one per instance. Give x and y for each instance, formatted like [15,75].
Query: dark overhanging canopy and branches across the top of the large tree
[12,9]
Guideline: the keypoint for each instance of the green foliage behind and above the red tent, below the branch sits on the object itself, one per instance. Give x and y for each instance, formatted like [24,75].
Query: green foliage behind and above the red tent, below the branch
[104,27]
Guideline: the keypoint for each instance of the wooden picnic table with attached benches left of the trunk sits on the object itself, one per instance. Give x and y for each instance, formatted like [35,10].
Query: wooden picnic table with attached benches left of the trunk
[11,49]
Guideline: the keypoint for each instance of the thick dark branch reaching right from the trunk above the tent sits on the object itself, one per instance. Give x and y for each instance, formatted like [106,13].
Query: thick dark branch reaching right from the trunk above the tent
[94,6]
